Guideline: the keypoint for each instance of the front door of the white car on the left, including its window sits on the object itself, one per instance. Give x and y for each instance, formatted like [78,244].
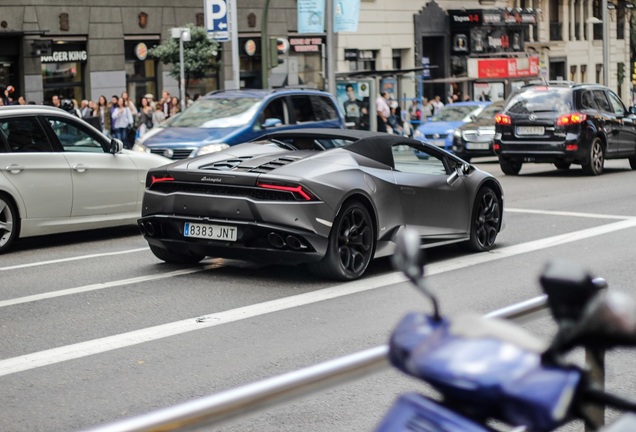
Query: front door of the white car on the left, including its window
[103,183]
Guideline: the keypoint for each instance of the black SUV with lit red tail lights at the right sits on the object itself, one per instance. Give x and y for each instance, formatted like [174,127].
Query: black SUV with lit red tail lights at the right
[564,123]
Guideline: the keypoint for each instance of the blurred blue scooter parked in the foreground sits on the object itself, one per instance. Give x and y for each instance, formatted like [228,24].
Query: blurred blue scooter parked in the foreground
[488,369]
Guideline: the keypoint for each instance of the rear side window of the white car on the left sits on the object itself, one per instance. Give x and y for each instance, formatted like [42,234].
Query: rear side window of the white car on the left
[24,135]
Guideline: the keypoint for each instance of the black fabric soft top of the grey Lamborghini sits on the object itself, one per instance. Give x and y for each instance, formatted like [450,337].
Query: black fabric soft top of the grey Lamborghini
[374,145]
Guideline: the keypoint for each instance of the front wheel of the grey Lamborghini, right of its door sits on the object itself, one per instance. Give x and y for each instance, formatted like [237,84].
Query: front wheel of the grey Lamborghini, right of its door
[485,220]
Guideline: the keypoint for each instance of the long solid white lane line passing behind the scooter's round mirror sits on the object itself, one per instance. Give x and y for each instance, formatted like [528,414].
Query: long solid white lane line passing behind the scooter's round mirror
[96,346]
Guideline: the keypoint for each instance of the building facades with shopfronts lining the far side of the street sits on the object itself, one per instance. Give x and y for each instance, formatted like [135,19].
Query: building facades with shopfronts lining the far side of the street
[411,48]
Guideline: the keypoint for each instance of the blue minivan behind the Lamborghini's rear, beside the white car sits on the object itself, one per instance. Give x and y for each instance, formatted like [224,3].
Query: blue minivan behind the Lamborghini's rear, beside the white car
[224,118]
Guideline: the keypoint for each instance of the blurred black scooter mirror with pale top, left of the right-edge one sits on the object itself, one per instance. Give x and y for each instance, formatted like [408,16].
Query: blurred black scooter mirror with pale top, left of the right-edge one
[569,287]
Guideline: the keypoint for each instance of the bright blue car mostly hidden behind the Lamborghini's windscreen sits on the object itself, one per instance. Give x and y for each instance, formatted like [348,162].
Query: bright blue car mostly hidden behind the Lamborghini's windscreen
[439,129]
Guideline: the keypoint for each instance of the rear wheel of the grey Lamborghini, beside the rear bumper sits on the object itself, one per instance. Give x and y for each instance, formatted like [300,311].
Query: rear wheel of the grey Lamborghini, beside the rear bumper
[351,245]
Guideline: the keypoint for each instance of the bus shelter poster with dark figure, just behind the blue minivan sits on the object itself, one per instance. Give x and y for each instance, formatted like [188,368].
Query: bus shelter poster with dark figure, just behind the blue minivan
[353,97]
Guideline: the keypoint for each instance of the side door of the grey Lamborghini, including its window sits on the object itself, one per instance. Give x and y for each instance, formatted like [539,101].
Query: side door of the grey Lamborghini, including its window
[430,204]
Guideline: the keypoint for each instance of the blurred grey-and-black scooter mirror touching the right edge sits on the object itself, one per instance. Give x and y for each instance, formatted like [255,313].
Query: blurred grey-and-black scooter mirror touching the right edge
[609,321]
